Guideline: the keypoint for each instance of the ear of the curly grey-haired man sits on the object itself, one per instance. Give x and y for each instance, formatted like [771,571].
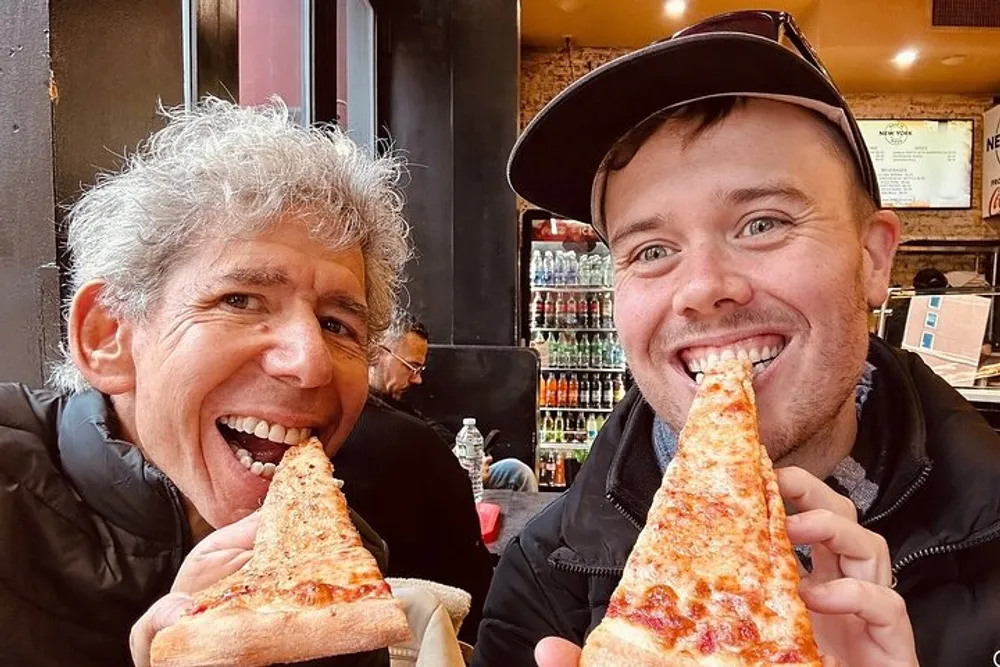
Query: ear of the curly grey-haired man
[100,342]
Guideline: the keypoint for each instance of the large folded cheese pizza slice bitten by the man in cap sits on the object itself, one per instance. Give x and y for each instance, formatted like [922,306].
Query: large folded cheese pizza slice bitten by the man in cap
[712,579]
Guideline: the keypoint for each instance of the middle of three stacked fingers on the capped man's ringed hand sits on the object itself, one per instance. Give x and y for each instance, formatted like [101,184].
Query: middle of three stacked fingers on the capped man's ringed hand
[859,552]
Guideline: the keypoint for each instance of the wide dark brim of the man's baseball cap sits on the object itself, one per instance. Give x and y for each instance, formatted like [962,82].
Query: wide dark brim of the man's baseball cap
[555,159]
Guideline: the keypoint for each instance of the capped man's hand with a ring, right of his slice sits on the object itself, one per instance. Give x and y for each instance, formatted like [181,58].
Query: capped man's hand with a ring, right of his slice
[857,618]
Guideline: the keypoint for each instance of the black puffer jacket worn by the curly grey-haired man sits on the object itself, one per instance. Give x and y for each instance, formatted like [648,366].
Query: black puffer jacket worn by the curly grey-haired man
[90,534]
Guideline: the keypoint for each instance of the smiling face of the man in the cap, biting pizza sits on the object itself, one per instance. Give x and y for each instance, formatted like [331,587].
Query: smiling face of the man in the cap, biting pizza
[744,240]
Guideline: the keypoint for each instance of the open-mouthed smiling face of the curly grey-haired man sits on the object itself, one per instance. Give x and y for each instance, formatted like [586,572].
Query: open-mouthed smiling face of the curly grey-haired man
[265,335]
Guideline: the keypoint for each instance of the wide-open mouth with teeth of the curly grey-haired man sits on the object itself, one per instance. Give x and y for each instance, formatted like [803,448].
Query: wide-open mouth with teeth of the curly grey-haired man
[258,444]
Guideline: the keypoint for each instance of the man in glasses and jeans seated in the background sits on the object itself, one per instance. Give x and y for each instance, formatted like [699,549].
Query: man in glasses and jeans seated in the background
[399,366]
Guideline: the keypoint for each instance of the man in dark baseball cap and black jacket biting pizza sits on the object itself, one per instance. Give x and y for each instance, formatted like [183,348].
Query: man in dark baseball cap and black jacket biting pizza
[729,178]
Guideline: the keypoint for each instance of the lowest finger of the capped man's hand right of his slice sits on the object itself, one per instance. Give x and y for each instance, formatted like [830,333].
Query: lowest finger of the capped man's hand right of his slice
[881,608]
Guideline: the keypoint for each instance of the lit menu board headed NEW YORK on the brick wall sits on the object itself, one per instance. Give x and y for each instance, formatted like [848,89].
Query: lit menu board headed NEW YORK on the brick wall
[921,163]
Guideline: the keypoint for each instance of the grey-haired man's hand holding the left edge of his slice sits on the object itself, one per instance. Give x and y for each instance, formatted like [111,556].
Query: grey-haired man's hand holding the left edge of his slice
[218,555]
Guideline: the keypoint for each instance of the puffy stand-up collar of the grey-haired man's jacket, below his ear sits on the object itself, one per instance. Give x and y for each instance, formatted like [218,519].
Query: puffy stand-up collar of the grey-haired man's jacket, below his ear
[112,476]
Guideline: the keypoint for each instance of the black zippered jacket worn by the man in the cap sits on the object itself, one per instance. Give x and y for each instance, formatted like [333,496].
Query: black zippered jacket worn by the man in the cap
[939,513]
